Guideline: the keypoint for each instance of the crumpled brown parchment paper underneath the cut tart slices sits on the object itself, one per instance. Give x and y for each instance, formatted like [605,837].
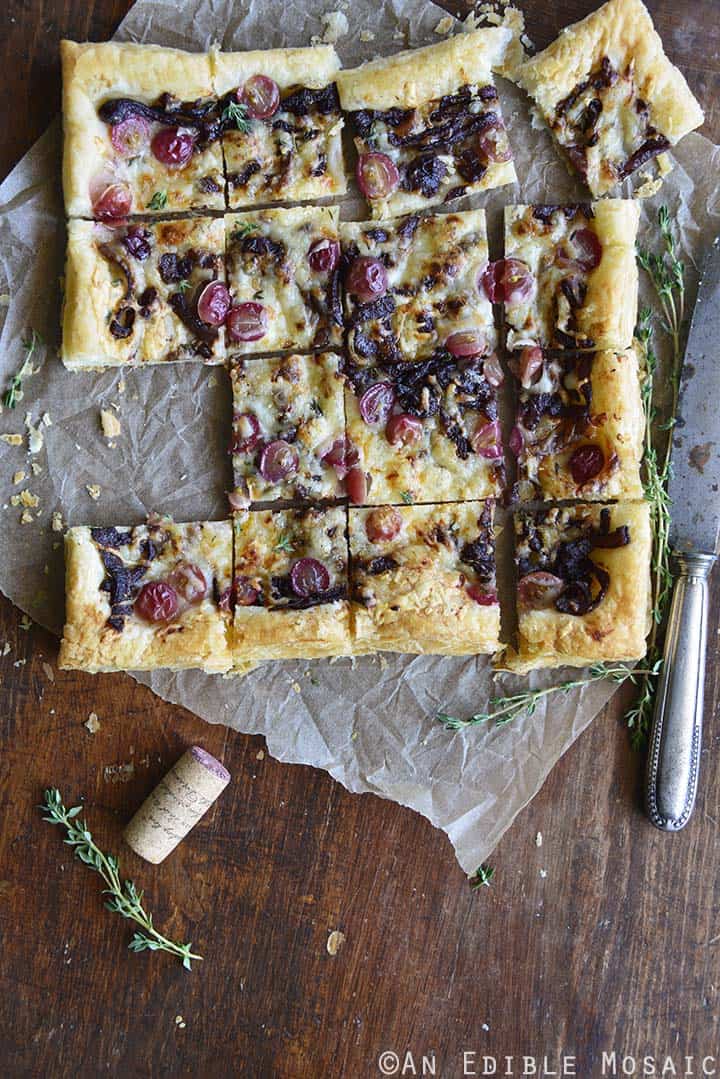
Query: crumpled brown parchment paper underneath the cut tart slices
[370,723]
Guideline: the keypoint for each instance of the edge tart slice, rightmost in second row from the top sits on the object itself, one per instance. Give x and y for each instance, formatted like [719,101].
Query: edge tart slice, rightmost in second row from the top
[569,279]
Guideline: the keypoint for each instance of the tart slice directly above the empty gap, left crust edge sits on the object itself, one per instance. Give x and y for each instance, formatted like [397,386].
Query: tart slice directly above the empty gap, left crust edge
[145,294]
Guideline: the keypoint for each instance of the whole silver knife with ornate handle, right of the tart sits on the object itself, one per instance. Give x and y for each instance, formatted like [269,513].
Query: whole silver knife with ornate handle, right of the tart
[695,491]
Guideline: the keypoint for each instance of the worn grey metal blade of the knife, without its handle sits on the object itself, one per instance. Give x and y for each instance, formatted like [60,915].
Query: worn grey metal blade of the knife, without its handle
[695,487]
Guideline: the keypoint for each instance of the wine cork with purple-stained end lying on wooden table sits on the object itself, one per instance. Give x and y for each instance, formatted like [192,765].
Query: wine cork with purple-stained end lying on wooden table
[176,805]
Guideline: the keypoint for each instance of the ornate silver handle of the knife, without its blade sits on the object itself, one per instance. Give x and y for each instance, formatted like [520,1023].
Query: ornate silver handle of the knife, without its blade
[675,743]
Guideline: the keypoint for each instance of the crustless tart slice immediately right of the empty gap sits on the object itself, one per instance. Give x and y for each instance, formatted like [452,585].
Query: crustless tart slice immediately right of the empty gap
[289,434]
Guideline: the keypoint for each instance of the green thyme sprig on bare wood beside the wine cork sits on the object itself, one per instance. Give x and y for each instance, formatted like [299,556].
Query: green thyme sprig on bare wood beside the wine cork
[125,897]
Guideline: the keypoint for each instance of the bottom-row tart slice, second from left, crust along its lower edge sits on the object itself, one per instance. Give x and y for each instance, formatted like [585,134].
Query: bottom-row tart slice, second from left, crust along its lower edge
[291,585]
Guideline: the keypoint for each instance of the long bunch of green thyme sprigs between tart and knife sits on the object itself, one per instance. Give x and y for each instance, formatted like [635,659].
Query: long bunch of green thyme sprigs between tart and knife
[667,272]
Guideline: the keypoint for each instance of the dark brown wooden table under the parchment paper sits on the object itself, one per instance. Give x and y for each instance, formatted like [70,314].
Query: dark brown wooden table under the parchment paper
[607,938]
